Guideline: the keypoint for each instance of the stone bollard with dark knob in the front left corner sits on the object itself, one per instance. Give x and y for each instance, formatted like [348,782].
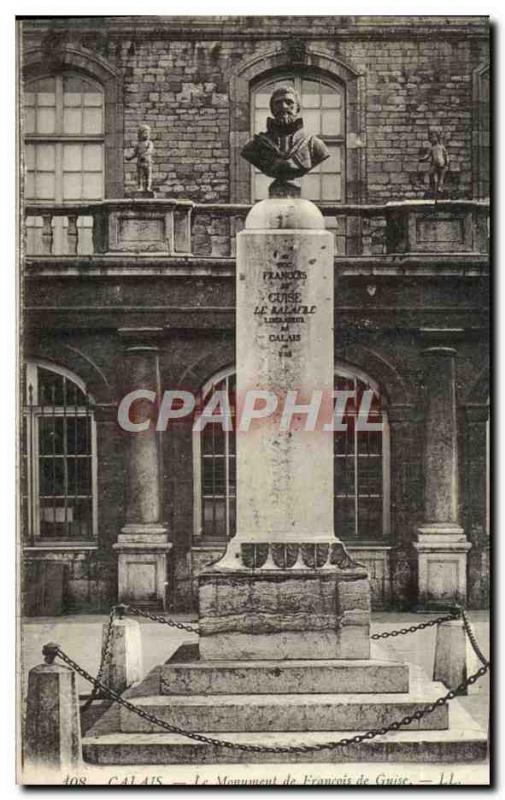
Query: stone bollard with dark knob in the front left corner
[52,730]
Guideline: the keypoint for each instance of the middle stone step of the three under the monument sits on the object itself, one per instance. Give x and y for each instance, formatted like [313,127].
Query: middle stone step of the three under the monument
[285,712]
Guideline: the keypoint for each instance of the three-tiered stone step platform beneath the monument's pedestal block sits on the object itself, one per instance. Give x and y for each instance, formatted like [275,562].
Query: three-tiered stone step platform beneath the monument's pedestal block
[278,703]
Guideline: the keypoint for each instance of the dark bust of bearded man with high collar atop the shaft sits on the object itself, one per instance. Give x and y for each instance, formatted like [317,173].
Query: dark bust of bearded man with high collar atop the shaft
[285,151]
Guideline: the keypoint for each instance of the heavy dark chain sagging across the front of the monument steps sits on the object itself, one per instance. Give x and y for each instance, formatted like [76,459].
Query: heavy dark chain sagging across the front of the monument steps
[250,748]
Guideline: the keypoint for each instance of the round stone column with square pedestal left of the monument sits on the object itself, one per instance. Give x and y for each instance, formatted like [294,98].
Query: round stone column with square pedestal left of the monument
[142,545]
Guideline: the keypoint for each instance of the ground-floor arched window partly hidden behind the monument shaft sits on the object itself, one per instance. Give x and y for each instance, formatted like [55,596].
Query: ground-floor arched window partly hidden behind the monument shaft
[361,464]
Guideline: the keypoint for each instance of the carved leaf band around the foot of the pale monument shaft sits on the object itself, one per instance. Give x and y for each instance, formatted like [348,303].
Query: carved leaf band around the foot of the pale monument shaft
[295,555]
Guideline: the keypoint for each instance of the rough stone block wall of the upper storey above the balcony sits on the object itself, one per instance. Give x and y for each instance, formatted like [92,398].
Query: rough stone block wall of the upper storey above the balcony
[180,81]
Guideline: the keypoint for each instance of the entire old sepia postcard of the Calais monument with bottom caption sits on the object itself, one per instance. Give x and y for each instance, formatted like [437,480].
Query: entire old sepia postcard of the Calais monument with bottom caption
[254,400]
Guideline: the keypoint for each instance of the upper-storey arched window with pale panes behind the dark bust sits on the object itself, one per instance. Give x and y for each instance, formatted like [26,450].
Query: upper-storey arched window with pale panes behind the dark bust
[323,111]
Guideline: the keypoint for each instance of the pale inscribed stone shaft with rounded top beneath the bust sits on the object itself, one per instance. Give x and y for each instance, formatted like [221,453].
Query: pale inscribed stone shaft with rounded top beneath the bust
[284,351]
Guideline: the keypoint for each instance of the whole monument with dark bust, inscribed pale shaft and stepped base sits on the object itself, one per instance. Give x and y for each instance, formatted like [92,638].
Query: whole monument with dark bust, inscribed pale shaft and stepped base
[282,664]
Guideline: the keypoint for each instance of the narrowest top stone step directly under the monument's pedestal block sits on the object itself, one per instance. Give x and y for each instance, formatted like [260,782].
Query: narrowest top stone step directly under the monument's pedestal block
[283,677]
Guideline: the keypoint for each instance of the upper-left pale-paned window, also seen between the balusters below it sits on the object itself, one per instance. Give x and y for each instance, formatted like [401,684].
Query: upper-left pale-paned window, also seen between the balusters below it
[63,124]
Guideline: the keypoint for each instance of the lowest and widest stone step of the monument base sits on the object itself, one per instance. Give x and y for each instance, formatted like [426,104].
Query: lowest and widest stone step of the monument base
[464,741]
